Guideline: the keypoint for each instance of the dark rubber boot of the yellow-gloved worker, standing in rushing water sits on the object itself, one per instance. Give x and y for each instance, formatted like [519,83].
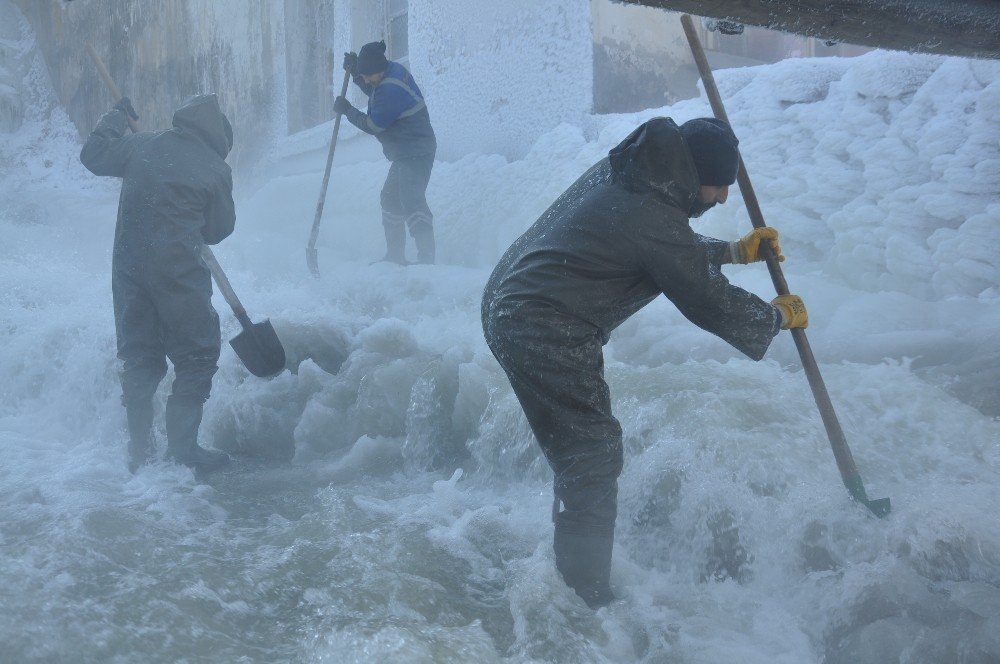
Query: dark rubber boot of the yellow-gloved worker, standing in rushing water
[583,557]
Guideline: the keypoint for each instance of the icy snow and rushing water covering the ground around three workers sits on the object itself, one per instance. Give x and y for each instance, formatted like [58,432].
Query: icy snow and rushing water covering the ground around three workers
[397,509]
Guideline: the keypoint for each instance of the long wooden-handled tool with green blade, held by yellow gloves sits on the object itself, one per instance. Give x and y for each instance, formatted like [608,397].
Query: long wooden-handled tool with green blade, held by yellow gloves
[841,452]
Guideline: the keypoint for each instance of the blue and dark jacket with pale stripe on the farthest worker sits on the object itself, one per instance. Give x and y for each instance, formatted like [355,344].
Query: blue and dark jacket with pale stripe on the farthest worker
[397,115]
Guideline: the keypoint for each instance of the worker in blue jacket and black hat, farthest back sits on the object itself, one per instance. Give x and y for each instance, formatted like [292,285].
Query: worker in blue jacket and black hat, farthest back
[397,116]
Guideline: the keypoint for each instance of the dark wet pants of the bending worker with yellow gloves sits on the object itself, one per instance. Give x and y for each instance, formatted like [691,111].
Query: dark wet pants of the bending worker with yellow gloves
[559,381]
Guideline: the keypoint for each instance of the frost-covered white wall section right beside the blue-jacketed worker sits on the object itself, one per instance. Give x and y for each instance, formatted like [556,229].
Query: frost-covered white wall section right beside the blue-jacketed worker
[497,75]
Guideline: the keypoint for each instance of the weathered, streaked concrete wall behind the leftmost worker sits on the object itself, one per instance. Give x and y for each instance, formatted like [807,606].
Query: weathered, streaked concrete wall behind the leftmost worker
[160,53]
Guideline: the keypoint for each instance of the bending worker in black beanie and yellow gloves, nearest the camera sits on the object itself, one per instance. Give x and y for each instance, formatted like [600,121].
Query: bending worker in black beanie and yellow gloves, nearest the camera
[609,245]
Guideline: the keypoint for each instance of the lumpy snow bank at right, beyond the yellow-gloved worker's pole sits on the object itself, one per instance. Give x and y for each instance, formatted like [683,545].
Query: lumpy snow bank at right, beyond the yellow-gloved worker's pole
[890,170]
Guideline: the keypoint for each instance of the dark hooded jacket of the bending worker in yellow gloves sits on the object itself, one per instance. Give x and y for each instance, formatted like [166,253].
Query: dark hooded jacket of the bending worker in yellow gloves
[615,240]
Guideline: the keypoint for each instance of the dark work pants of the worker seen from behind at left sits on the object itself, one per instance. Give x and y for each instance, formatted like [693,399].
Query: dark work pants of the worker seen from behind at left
[163,314]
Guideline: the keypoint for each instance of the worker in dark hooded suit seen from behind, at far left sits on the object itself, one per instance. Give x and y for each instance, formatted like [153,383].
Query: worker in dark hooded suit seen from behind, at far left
[177,194]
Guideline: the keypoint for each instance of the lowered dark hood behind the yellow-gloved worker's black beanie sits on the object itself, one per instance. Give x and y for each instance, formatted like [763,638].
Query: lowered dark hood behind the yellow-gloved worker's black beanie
[655,158]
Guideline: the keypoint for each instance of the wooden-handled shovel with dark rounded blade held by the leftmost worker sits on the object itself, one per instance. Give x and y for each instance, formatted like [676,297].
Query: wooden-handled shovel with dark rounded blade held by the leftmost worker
[257,345]
